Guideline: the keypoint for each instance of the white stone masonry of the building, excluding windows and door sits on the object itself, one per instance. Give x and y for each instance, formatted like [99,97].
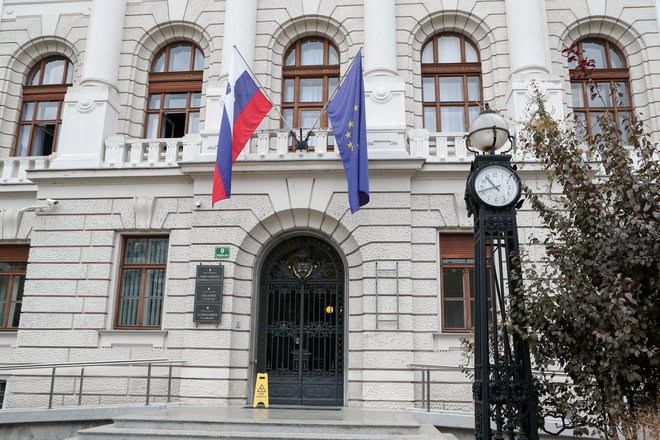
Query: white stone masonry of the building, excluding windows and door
[111,183]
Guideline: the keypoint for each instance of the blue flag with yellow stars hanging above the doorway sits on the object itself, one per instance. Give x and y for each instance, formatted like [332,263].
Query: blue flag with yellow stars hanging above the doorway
[348,118]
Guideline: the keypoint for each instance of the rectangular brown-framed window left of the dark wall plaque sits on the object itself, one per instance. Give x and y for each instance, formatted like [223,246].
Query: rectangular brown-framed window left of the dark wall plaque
[141,282]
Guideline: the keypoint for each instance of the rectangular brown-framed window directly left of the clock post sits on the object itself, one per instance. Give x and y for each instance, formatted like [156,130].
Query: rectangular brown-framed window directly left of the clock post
[457,282]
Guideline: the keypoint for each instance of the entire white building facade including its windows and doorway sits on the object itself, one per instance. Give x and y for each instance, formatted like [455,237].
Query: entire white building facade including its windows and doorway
[110,112]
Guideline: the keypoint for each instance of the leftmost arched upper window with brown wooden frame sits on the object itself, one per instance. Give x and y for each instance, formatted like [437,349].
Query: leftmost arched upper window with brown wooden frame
[41,115]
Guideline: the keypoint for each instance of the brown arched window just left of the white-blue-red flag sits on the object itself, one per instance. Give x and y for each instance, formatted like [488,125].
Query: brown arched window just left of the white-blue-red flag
[175,91]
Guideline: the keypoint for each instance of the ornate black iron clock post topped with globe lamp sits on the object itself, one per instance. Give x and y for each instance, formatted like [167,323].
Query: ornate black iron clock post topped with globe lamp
[505,403]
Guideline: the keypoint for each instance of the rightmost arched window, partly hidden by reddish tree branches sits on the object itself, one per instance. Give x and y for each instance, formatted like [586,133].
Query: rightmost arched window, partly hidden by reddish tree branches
[612,87]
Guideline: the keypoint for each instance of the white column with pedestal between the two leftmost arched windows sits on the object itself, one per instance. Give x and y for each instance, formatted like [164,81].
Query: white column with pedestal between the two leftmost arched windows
[91,110]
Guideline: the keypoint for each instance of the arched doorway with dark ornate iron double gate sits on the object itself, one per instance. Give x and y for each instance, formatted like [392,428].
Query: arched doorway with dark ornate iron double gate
[300,342]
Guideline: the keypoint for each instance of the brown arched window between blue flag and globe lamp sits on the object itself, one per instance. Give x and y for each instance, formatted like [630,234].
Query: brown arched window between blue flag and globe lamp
[451,83]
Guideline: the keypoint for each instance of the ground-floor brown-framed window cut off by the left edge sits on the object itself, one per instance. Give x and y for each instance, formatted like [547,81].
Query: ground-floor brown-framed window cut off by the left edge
[13,264]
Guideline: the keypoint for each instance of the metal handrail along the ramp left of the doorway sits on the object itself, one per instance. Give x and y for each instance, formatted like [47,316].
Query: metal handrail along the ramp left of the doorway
[129,362]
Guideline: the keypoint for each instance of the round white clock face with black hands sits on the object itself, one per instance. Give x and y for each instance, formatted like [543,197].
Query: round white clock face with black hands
[496,186]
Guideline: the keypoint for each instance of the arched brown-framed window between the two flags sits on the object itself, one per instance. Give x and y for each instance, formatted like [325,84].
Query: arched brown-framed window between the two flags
[309,78]
